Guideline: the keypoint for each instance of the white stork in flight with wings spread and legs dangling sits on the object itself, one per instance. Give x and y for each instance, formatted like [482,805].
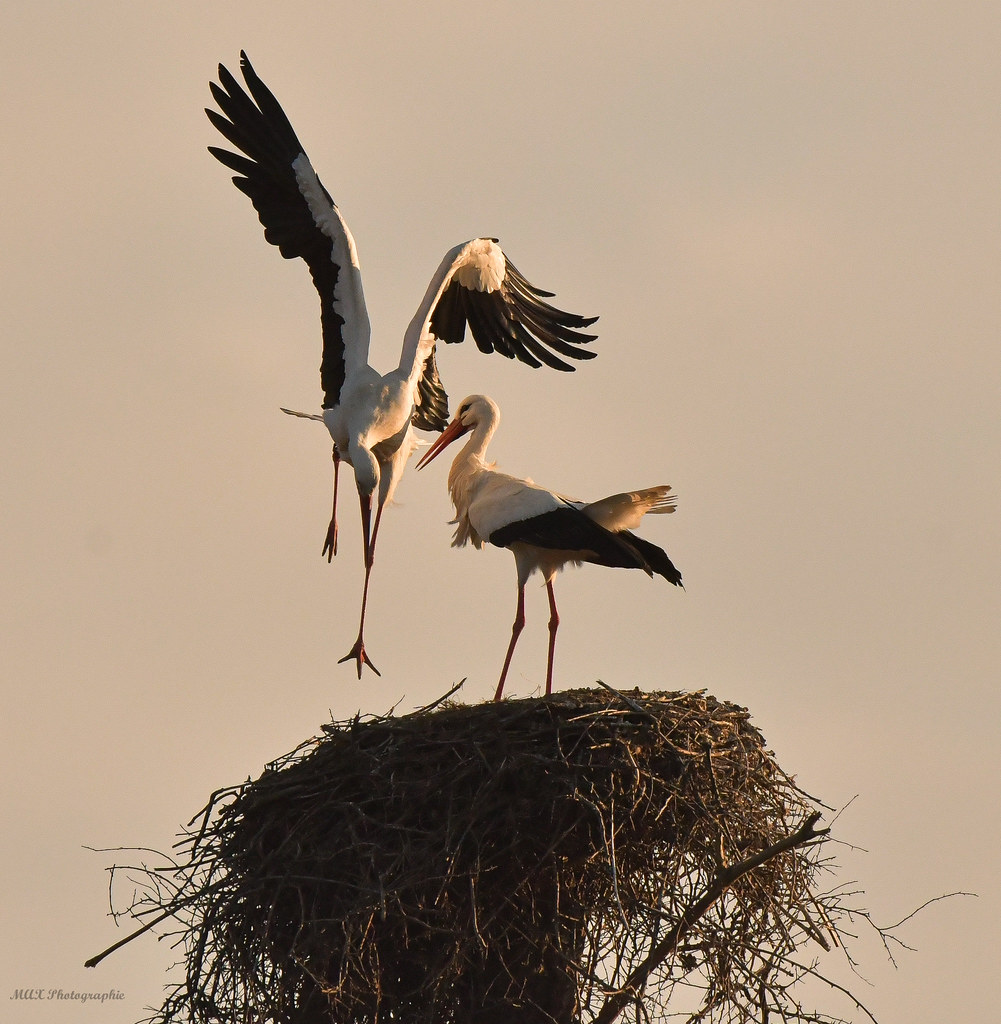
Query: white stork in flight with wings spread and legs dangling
[372,416]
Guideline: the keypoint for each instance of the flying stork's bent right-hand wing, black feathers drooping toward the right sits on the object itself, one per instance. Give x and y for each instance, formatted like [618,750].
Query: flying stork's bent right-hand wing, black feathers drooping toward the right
[478,286]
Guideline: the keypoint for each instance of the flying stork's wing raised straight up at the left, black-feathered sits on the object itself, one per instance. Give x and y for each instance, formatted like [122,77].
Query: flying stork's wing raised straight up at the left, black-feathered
[297,212]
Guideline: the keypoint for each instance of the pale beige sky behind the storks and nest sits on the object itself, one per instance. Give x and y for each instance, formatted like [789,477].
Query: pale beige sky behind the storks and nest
[789,218]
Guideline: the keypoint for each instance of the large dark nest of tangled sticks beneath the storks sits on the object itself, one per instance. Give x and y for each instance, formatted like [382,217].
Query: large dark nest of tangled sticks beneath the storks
[569,859]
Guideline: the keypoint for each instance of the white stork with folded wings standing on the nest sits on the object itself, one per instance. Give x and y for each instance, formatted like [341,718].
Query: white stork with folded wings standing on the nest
[545,531]
